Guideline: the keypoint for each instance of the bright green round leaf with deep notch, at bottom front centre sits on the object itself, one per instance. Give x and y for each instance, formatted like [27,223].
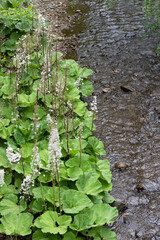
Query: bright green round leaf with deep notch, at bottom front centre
[49,222]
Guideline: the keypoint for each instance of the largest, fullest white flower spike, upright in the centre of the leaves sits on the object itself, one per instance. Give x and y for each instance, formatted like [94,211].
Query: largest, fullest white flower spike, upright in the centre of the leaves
[54,148]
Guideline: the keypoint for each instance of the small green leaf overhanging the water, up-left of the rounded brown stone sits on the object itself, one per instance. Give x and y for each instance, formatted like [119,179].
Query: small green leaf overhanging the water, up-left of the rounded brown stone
[97,145]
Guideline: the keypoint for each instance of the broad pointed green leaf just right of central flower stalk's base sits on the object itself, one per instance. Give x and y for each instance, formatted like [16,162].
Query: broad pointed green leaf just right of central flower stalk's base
[74,201]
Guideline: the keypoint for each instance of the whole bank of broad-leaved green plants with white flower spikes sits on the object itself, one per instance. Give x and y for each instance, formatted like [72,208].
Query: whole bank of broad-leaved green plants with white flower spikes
[54,180]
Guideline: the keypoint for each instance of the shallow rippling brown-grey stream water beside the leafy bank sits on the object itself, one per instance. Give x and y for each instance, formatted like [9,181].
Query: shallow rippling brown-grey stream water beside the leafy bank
[126,82]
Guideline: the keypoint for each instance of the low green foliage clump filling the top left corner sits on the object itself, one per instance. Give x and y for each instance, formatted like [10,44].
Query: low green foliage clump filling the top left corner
[15,21]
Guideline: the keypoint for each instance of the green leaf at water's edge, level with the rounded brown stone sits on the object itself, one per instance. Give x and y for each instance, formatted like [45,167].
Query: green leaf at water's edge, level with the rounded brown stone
[104,168]
